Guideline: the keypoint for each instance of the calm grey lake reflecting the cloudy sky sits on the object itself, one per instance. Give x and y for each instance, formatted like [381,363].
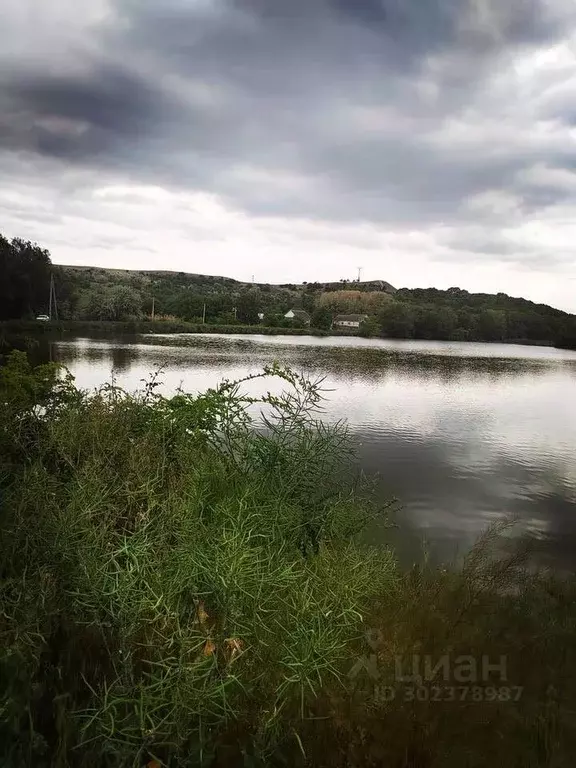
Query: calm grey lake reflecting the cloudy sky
[461,434]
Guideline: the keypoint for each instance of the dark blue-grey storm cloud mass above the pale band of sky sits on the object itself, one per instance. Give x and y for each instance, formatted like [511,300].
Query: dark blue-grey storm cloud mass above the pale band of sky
[328,109]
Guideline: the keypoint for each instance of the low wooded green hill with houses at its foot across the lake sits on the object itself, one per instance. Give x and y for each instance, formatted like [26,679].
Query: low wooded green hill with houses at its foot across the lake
[421,313]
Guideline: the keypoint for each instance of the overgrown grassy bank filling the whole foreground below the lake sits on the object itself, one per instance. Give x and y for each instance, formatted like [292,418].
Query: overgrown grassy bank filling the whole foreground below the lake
[178,589]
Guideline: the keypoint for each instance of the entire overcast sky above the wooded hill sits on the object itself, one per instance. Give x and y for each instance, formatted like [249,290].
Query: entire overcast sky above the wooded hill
[430,142]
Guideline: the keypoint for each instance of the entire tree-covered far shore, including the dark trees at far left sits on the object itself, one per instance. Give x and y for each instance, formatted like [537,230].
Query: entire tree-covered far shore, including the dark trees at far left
[176,299]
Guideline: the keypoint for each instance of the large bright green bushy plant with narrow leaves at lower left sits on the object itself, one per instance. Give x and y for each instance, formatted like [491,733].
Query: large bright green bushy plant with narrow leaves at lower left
[174,580]
